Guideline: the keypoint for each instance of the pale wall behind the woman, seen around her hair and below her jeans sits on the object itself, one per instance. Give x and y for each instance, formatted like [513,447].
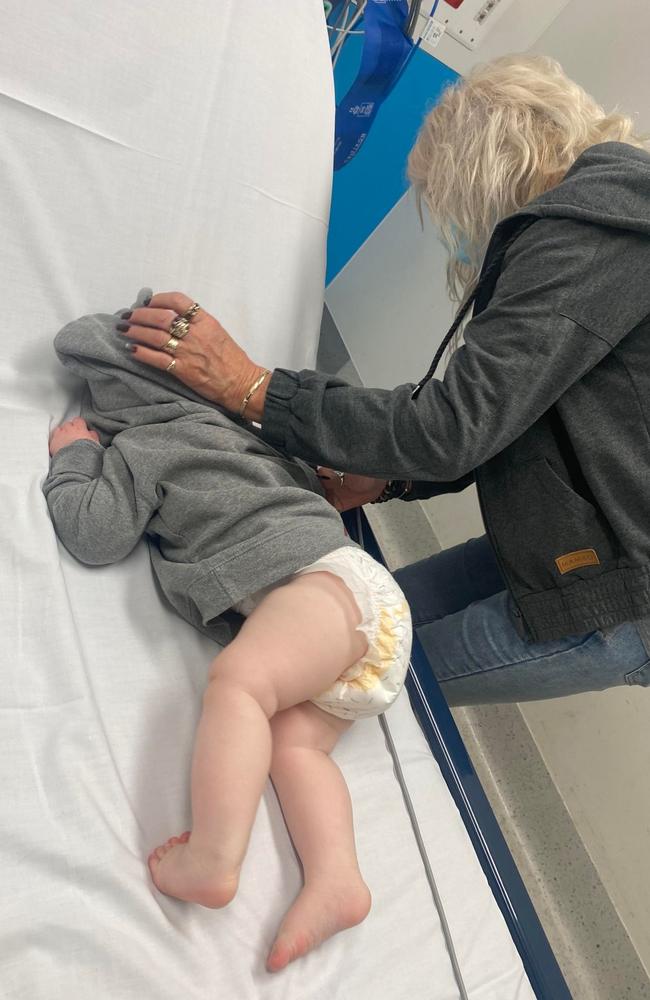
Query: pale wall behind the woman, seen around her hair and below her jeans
[390,307]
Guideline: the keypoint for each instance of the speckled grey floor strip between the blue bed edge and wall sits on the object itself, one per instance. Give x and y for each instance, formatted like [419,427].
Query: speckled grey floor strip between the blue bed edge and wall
[591,944]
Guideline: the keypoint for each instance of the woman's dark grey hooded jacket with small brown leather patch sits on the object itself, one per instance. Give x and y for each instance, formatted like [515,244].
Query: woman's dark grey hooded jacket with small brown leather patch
[546,406]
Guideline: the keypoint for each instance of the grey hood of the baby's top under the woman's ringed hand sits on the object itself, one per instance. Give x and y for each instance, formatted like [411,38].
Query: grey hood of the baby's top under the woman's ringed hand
[120,391]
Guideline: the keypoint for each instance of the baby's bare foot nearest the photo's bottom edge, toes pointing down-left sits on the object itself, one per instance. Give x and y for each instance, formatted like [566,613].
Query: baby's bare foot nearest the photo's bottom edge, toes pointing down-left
[321,910]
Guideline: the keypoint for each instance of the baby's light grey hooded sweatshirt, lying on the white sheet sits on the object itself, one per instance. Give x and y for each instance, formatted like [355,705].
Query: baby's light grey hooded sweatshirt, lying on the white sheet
[224,513]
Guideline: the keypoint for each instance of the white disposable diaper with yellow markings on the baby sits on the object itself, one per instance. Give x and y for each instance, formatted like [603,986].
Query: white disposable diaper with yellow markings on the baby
[369,686]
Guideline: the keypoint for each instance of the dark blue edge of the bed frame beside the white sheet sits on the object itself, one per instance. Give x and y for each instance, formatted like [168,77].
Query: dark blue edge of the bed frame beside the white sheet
[433,715]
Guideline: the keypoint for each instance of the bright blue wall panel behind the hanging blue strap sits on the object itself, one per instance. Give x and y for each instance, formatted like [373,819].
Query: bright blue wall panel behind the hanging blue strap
[373,182]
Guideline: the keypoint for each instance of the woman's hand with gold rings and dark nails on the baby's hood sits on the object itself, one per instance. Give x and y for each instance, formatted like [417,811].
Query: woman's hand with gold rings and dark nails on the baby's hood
[207,358]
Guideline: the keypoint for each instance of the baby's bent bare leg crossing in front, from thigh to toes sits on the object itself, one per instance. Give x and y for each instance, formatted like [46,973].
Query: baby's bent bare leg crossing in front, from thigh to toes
[293,646]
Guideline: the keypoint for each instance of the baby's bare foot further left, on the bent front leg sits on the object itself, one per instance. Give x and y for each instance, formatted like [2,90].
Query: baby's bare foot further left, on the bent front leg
[188,874]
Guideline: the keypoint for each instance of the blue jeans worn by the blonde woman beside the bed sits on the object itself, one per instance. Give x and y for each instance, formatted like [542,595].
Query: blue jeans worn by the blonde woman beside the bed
[463,617]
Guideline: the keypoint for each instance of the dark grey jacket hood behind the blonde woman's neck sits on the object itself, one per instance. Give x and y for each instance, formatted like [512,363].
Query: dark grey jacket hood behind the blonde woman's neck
[609,184]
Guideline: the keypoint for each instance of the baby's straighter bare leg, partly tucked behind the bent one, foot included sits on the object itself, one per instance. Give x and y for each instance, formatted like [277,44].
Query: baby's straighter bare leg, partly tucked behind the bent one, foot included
[318,812]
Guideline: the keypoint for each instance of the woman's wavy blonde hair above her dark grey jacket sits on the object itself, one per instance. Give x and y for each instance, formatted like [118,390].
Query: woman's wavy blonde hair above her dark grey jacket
[498,138]
